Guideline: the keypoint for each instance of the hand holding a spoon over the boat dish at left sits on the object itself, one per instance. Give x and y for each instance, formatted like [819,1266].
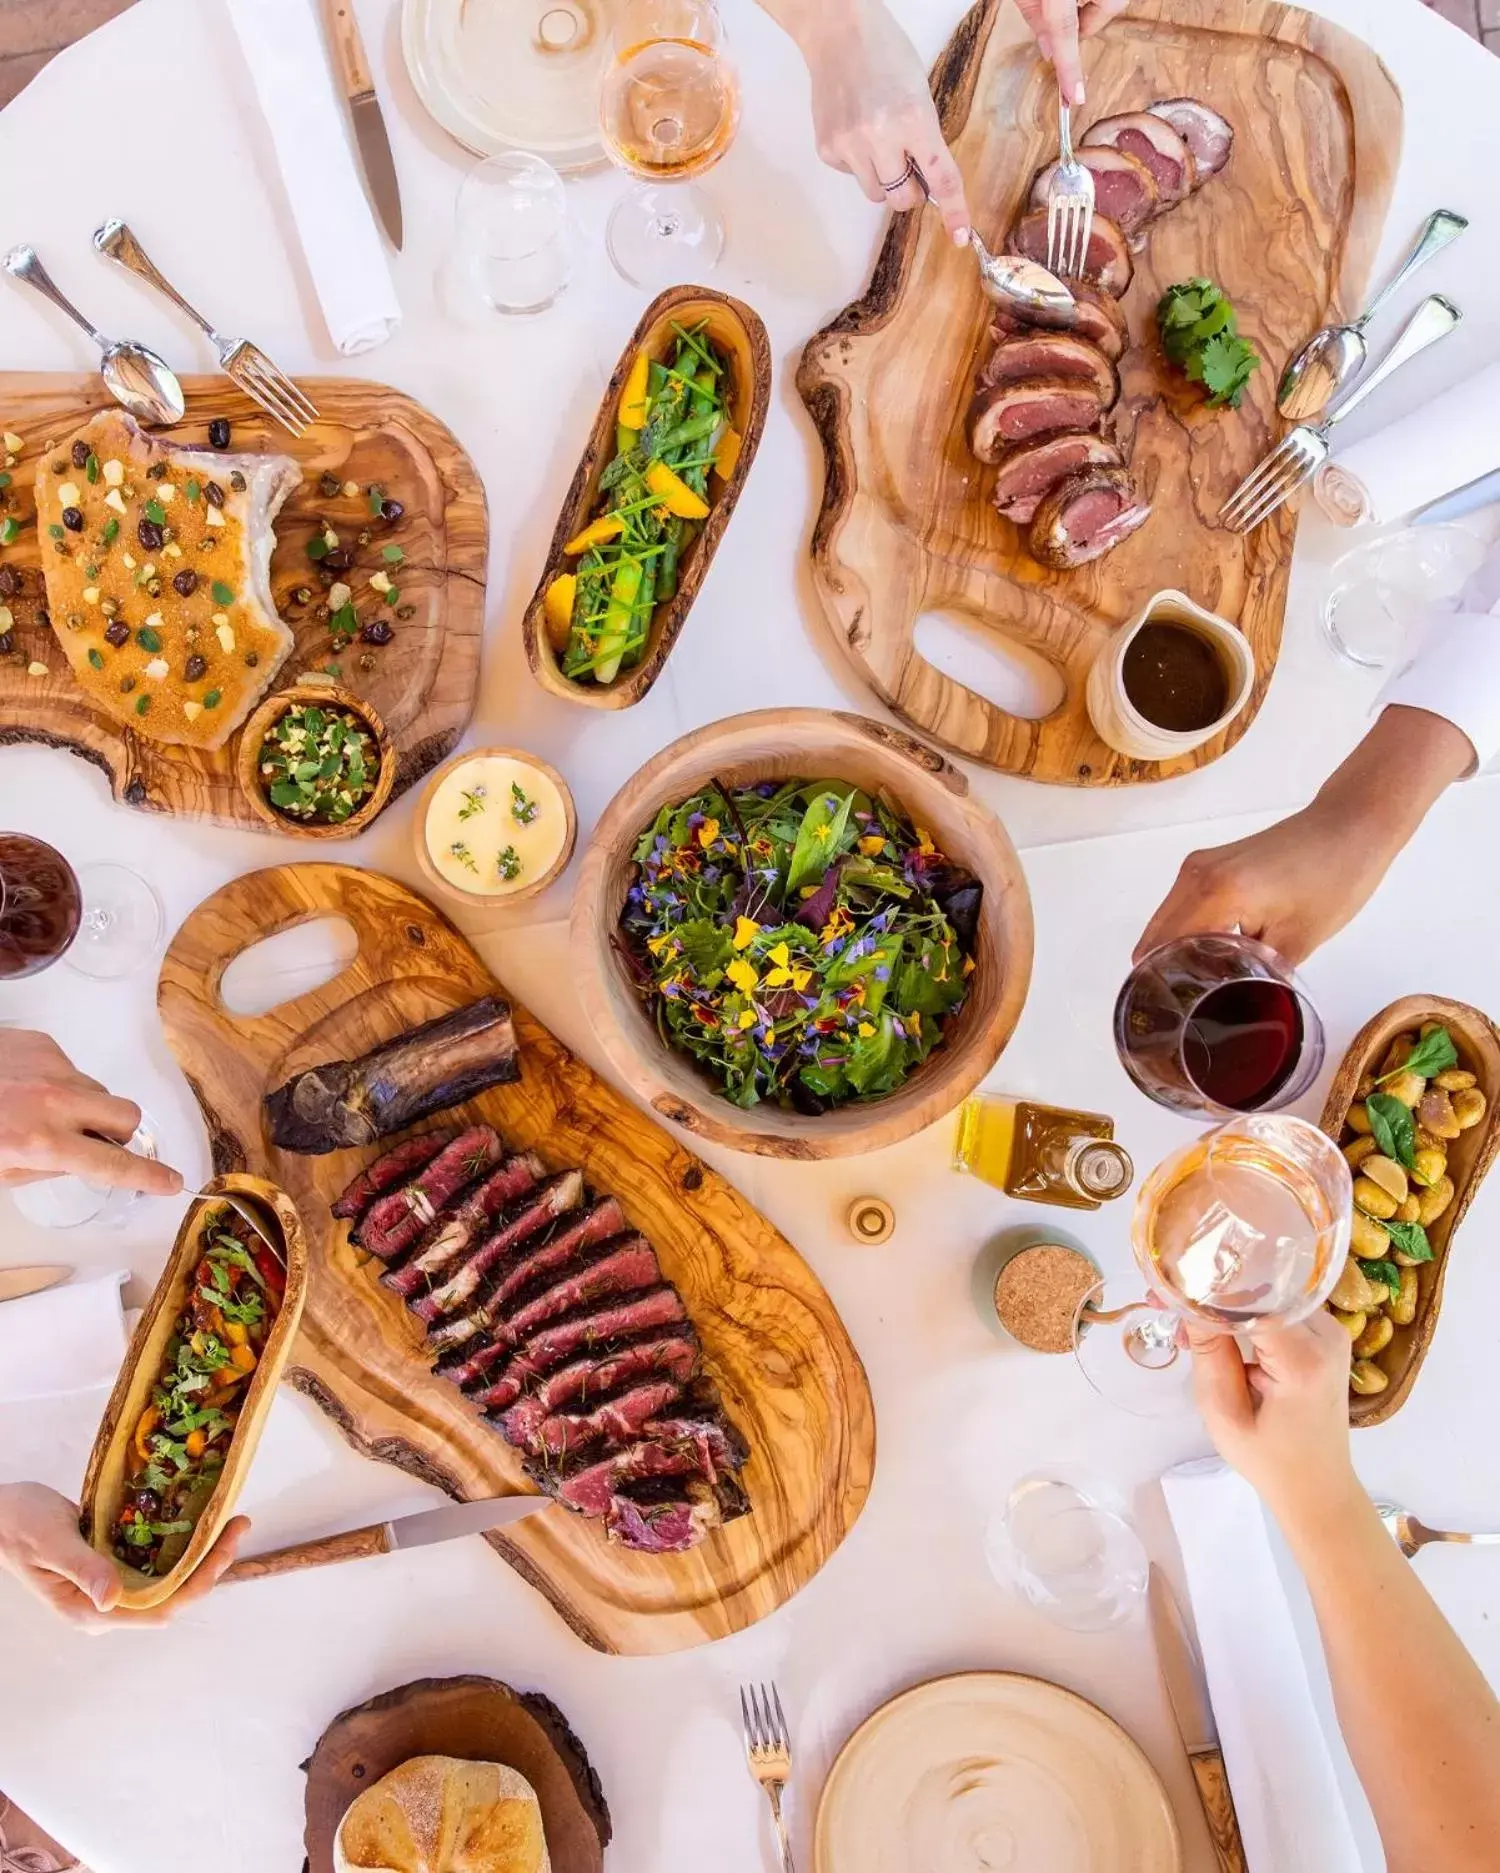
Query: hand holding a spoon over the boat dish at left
[50,1117]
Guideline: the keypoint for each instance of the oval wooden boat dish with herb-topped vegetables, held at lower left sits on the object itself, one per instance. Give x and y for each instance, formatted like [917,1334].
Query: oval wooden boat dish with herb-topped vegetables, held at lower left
[108,1464]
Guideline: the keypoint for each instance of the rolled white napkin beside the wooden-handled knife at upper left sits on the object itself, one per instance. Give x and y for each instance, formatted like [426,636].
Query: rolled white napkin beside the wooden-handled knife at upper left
[289,61]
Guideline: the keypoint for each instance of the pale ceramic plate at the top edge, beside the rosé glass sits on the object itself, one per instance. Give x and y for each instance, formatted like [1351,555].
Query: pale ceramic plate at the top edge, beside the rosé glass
[512,74]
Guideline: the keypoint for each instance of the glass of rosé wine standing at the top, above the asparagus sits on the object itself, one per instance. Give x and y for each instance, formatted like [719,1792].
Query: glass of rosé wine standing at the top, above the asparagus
[669,108]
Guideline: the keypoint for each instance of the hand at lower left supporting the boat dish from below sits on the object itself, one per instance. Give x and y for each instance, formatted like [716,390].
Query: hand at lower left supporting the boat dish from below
[40,1544]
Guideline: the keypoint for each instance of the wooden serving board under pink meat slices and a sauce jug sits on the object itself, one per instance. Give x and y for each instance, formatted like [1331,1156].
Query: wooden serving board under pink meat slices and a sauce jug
[1289,229]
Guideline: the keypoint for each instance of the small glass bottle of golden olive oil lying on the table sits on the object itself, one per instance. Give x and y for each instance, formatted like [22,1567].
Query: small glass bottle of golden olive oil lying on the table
[1040,1153]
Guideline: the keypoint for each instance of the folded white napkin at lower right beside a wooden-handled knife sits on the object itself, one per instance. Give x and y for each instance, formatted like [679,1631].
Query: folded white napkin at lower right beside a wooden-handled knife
[1287,1793]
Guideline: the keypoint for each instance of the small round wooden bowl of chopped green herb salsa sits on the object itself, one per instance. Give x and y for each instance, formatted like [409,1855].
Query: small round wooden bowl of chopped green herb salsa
[316,761]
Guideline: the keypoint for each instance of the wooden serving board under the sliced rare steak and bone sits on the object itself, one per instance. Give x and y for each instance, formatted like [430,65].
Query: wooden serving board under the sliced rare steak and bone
[789,1376]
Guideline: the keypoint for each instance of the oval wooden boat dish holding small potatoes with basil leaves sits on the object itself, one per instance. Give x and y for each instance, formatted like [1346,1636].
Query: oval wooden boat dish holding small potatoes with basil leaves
[1469,1158]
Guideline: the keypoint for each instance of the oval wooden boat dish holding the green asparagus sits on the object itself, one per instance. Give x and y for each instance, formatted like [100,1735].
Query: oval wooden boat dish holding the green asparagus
[739,332]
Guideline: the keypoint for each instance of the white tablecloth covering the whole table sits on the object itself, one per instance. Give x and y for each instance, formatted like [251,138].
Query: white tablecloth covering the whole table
[960,1415]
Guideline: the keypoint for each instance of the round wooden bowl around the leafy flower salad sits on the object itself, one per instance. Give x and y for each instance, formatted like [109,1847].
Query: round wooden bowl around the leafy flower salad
[819,746]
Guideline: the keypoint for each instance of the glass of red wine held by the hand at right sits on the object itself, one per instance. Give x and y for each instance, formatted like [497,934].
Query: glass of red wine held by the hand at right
[1218,1025]
